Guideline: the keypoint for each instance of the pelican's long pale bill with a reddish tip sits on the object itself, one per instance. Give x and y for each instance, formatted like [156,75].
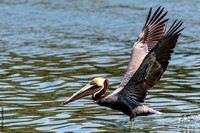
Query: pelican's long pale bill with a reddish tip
[85,91]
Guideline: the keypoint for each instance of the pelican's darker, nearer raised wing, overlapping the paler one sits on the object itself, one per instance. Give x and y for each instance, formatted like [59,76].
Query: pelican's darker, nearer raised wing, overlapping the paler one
[153,66]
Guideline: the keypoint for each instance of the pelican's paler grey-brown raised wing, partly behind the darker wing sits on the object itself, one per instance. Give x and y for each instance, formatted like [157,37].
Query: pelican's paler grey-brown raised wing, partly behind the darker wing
[152,32]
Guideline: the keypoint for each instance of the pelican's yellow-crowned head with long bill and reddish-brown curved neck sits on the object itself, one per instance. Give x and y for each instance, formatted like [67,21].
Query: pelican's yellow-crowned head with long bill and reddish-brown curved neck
[96,88]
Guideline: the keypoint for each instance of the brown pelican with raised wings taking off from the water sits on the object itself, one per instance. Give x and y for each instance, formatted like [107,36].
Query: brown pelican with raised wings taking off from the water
[149,59]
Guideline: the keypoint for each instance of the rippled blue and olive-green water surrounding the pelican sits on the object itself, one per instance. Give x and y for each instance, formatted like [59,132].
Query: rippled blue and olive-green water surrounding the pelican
[50,49]
